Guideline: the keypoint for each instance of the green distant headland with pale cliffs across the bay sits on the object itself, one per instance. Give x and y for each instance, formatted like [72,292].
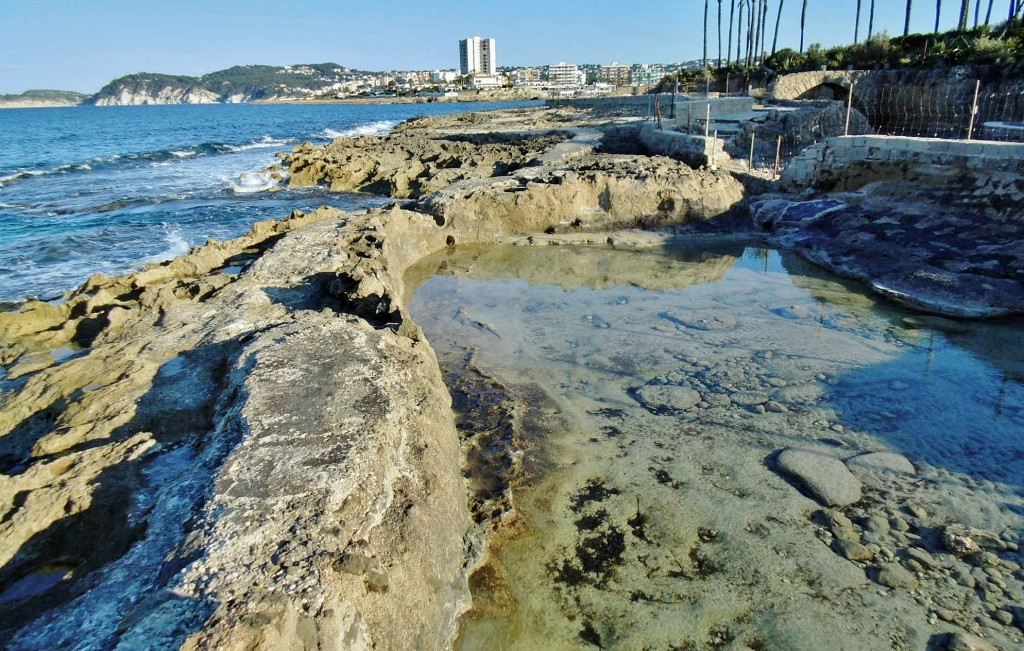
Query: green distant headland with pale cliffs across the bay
[238,84]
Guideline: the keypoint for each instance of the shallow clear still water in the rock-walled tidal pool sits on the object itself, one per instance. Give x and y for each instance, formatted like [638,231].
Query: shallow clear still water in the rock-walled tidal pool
[630,525]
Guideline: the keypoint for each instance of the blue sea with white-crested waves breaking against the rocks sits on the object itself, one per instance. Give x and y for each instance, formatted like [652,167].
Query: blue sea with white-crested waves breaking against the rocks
[107,190]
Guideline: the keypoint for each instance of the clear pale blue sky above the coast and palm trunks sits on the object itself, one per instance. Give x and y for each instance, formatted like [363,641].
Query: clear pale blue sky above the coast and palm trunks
[82,45]
